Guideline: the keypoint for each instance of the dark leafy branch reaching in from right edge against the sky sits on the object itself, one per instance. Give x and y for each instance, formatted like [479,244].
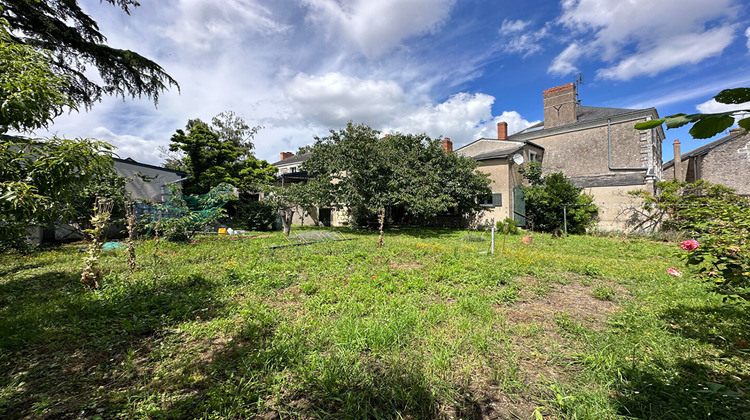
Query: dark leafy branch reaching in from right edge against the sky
[708,125]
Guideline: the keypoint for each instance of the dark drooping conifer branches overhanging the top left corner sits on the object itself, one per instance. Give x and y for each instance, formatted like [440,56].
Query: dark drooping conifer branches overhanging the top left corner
[73,38]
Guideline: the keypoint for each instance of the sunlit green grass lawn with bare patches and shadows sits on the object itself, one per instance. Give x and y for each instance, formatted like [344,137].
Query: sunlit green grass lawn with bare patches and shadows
[425,327]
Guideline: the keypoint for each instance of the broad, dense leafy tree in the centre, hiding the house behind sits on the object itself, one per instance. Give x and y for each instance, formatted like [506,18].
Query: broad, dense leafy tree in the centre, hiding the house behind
[369,174]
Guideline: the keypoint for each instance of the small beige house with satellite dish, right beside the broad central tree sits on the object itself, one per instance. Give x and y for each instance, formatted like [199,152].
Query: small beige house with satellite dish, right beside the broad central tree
[501,159]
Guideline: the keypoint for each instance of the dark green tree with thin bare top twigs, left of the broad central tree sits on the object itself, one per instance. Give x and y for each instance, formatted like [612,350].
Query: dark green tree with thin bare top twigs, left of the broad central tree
[219,153]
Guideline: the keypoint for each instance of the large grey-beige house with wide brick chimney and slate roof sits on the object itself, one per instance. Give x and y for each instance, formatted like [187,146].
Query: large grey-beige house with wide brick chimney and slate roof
[598,149]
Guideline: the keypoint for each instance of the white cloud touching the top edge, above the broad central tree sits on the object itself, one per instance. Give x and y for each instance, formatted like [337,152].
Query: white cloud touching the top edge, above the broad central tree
[377,27]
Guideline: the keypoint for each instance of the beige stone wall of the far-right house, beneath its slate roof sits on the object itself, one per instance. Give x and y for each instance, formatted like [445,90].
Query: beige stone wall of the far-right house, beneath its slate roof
[729,165]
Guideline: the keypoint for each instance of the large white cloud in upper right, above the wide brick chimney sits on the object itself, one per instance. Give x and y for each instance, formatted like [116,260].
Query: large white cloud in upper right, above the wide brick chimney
[639,40]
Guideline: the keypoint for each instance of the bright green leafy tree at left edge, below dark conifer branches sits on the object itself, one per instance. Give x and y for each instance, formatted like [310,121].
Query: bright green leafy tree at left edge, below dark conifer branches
[40,182]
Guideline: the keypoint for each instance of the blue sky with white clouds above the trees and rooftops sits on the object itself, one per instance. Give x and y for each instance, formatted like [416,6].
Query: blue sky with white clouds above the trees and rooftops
[451,68]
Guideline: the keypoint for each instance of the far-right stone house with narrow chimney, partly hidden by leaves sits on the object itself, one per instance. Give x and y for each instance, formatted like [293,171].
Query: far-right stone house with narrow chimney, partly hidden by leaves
[725,161]
